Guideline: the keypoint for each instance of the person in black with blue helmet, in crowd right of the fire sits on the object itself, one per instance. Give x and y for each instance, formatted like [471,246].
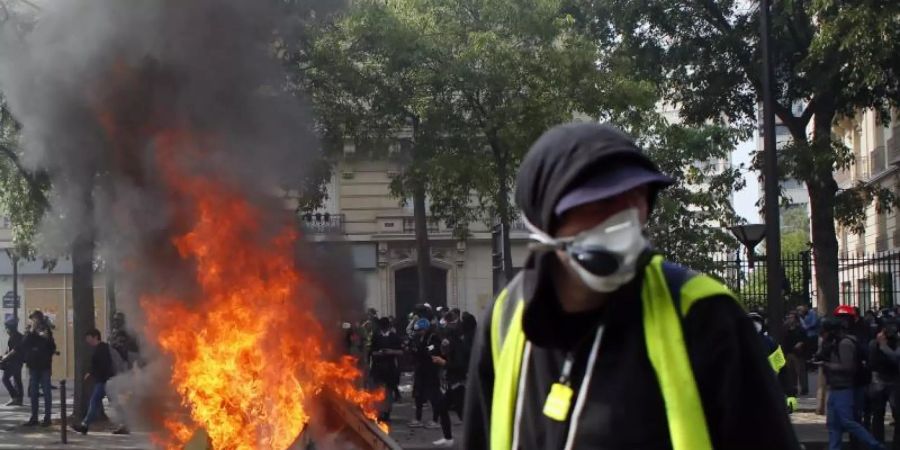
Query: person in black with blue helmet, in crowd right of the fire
[426,378]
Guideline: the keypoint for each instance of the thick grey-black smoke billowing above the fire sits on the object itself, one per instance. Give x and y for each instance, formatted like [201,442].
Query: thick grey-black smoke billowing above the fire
[96,81]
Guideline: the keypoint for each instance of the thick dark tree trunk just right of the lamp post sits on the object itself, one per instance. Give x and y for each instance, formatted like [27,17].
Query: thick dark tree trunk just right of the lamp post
[822,193]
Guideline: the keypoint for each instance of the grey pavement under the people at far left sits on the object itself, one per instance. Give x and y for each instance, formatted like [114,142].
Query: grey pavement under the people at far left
[15,436]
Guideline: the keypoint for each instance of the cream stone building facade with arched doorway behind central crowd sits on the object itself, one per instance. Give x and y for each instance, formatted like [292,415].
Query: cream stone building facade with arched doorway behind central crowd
[361,213]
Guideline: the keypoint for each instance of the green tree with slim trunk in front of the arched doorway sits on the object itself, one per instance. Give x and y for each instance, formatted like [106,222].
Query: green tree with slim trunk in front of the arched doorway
[367,74]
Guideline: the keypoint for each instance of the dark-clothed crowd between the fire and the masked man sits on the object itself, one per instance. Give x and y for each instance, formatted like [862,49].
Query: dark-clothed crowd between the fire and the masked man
[432,343]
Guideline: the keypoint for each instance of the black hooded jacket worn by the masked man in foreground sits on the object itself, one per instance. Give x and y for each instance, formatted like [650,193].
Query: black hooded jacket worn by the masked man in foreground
[624,407]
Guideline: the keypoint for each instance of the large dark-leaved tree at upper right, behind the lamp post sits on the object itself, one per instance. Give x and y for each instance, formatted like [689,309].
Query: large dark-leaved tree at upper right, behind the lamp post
[832,58]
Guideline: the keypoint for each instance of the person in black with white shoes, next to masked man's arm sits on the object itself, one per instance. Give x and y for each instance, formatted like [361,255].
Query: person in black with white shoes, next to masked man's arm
[456,348]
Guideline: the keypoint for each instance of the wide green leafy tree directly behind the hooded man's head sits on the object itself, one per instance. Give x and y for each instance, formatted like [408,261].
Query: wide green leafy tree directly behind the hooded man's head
[478,82]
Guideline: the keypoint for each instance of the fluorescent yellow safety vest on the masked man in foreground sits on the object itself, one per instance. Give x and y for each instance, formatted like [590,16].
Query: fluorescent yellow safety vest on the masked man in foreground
[665,347]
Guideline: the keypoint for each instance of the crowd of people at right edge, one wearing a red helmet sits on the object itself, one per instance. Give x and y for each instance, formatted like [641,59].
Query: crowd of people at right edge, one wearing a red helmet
[860,359]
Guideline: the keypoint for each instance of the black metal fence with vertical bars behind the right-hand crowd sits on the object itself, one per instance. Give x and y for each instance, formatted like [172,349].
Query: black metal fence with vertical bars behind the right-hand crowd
[866,281]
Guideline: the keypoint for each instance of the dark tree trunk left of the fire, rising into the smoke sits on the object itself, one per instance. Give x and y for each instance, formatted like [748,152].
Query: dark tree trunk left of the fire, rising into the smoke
[83,311]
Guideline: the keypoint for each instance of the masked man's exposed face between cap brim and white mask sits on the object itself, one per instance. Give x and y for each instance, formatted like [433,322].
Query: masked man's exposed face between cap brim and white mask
[585,217]
